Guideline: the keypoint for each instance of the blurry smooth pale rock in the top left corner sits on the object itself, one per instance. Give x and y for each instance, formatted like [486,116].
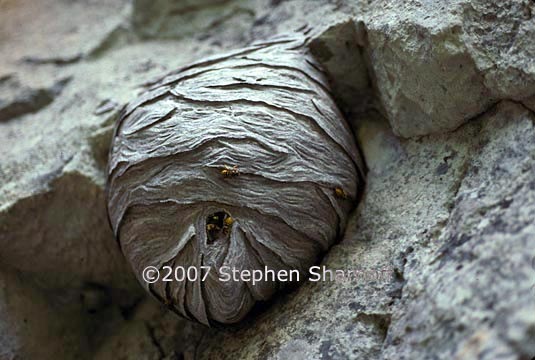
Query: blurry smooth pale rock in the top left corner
[33,38]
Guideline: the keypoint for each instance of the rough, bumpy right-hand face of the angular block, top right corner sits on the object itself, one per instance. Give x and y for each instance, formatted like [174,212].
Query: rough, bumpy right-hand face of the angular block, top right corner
[498,36]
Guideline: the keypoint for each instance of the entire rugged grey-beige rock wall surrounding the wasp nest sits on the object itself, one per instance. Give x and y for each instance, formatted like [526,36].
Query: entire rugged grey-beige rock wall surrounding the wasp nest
[441,98]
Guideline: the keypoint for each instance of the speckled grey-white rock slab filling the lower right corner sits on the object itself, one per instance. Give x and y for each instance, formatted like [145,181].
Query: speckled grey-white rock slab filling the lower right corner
[474,282]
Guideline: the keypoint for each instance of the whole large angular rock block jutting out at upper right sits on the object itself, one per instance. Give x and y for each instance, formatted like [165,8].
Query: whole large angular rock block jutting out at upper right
[438,64]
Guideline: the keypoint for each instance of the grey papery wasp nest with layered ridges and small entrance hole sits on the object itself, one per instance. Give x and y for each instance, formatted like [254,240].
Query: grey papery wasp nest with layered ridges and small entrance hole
[241,160]
